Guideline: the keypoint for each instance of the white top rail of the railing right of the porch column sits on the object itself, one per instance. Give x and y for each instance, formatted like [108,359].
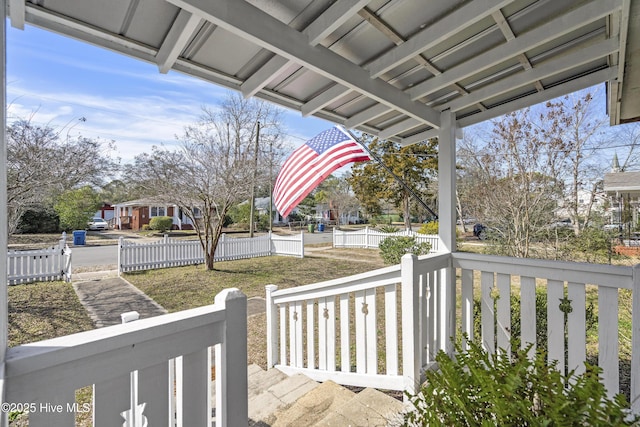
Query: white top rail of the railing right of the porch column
[578,272]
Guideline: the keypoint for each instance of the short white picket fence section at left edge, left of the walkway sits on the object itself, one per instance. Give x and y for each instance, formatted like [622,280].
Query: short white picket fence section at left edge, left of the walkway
[40,265]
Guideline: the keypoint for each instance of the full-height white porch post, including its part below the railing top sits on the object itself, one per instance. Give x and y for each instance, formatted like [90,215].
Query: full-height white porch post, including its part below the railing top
[447,224]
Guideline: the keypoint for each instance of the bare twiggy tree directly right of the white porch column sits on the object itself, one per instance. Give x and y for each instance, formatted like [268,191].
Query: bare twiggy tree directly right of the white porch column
[508,182]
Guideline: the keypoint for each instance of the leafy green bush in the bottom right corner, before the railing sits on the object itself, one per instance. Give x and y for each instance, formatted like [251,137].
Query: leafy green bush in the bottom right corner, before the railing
[478,389]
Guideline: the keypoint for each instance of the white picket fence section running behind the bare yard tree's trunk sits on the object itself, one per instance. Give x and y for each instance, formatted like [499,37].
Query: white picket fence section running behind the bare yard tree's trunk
[133,256]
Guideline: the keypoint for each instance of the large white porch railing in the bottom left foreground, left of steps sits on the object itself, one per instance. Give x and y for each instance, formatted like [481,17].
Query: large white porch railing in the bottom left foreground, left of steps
[46,374]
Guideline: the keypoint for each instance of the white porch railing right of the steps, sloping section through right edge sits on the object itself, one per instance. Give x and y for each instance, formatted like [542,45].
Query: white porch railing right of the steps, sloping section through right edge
[429,317]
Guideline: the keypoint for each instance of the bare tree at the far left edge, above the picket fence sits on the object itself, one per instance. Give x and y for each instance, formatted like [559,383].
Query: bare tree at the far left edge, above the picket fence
[42,164]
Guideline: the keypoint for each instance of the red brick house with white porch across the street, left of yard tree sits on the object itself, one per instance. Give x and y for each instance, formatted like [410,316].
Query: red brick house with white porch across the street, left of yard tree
[133,215]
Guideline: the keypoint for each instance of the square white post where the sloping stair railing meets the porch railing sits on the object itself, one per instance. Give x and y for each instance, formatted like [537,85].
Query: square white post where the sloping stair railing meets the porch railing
[411,327]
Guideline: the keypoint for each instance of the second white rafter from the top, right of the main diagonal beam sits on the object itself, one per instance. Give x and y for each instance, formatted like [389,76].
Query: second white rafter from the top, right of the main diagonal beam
[440,31]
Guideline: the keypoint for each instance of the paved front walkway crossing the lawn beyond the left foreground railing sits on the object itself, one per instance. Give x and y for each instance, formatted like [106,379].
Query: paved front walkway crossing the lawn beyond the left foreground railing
[106,296]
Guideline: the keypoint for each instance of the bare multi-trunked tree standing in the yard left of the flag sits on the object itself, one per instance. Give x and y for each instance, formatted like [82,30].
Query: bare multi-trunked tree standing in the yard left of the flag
[212,170]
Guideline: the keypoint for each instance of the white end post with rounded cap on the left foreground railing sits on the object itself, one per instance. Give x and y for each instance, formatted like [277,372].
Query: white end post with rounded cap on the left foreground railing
[231,362]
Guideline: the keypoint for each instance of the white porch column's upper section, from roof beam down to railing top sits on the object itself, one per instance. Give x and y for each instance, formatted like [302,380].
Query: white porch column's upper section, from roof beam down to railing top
[447,181]
